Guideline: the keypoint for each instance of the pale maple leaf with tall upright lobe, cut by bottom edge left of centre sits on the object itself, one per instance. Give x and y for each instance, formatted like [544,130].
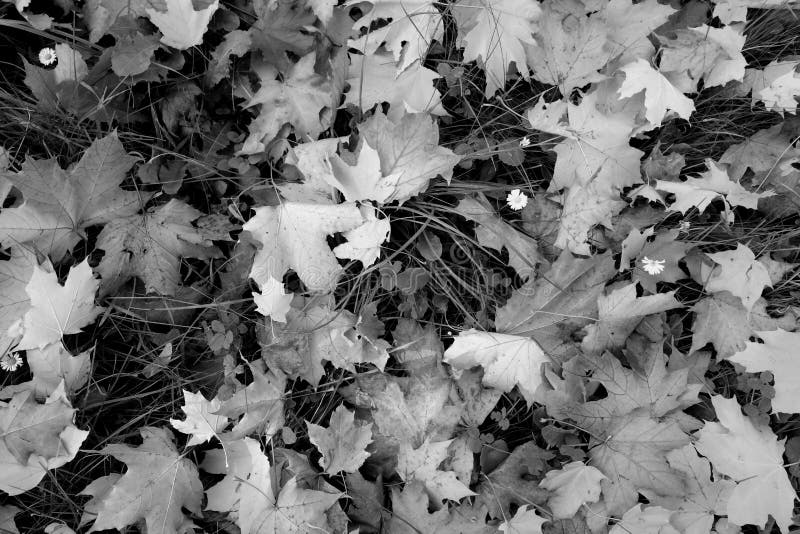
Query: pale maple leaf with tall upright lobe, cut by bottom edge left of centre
[292,511]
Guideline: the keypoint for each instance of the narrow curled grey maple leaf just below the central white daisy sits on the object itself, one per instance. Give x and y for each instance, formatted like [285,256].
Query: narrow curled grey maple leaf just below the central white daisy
[494,233]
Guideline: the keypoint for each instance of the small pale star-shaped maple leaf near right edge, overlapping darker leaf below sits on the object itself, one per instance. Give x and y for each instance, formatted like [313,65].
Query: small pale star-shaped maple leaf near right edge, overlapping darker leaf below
[739,273]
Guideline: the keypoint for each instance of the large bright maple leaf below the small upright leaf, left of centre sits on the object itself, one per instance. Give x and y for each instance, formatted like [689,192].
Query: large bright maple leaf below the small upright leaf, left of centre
[294,235]
